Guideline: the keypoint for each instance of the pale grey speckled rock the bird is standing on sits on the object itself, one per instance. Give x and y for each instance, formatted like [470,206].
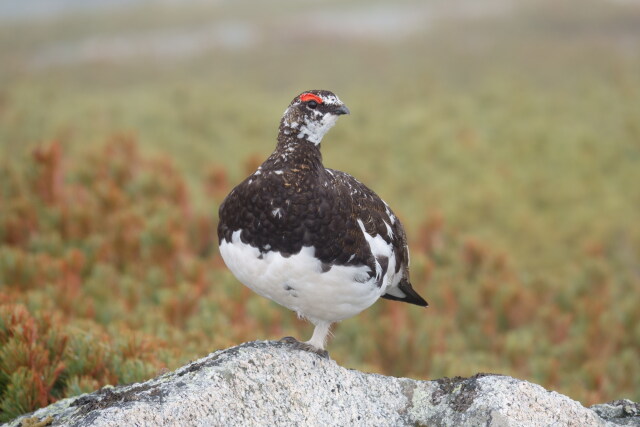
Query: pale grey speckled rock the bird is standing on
[270,383]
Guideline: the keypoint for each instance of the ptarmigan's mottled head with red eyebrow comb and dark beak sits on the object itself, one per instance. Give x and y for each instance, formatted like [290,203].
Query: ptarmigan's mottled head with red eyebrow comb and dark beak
[311,114]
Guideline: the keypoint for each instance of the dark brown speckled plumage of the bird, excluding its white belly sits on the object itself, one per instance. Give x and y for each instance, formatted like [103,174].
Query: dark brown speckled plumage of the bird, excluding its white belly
[293,201]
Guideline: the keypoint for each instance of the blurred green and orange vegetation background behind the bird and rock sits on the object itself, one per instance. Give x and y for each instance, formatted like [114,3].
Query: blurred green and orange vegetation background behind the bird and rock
[505,134]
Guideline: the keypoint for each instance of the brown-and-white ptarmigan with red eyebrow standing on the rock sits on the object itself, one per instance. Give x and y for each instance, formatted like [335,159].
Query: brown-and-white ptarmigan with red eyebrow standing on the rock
[314,240]
